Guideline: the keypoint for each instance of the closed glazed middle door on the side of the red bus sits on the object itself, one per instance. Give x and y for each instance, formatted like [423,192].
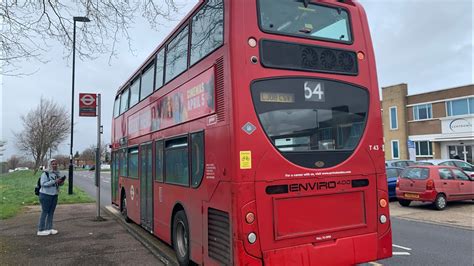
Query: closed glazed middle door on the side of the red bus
[146,187]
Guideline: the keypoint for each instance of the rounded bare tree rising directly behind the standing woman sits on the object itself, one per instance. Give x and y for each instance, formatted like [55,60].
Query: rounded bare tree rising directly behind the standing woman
[44,127]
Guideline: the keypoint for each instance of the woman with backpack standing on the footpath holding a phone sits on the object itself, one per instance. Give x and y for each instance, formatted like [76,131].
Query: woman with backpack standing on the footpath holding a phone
[48,197]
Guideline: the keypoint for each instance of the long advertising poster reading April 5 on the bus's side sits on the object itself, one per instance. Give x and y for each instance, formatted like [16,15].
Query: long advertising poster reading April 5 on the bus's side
[192,100]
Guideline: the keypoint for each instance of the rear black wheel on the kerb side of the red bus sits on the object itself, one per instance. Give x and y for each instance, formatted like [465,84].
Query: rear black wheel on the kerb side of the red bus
[181,238]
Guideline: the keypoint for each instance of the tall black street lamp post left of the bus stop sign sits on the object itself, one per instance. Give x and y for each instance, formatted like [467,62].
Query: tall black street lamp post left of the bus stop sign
[71,165]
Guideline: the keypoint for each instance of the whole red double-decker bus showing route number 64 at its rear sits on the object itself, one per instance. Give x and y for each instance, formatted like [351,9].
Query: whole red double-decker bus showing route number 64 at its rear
[253,135]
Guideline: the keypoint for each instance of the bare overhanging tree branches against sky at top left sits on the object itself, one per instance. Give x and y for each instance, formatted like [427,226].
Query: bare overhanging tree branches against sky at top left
[29,26]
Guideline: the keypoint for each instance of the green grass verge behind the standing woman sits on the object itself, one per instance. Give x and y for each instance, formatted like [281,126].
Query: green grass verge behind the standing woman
[17,191]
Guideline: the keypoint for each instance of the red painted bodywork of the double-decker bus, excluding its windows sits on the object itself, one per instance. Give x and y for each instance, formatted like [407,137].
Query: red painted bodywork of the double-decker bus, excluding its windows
[326,215]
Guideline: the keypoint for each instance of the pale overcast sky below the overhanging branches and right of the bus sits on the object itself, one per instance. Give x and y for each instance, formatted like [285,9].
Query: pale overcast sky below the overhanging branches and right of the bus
[427,44]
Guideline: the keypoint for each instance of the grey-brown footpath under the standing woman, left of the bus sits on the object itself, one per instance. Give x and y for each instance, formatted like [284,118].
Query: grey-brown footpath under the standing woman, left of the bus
[81,240]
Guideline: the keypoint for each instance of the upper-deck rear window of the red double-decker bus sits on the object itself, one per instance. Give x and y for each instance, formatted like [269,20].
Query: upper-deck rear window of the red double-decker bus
[303,19]
